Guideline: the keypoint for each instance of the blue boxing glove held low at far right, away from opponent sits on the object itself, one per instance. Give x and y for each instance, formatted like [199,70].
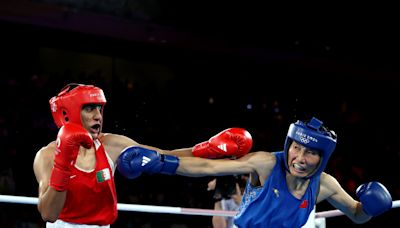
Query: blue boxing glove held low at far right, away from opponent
[375,198]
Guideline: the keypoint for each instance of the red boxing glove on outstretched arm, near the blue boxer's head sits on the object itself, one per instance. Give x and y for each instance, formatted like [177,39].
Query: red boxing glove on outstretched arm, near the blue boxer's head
[232,142]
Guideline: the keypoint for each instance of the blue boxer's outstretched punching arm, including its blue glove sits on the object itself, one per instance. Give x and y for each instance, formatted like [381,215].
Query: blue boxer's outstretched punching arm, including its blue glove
[136,160]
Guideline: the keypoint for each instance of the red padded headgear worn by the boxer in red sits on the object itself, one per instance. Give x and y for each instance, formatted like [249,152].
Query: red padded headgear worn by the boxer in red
[67,105]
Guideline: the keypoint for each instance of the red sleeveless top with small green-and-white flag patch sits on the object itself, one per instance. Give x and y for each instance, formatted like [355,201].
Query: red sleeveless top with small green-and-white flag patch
[91,196]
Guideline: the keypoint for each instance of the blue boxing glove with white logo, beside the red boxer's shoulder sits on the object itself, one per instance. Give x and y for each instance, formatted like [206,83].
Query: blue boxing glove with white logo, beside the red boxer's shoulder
[134,160]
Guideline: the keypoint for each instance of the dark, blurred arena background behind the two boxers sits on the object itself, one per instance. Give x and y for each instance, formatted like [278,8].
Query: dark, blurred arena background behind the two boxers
[176,73]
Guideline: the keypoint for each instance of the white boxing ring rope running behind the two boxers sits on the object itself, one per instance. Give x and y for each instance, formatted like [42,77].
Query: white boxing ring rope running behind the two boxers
[170,210]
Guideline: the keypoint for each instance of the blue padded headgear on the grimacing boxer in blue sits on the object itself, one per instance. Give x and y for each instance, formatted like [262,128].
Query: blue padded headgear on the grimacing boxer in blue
[313,135]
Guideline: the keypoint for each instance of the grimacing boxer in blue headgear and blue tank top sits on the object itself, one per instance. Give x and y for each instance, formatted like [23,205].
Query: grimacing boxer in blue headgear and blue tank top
[285,186]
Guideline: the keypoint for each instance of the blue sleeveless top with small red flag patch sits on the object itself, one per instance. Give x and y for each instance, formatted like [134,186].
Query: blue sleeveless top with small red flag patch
[272,205]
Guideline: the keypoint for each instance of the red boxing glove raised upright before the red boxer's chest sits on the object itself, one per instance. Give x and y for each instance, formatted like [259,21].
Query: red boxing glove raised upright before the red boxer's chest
[70,137]
